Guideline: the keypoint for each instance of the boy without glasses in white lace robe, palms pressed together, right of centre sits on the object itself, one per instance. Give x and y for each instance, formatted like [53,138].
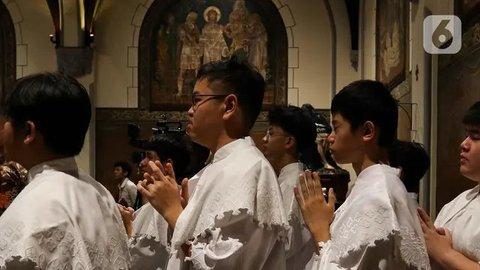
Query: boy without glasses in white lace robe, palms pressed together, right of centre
[377,226]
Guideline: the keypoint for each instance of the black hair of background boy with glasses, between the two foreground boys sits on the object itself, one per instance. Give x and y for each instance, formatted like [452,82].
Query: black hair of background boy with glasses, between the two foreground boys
[298,123]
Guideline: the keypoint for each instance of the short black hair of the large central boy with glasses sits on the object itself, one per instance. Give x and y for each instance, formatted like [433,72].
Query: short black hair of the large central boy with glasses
[240,79]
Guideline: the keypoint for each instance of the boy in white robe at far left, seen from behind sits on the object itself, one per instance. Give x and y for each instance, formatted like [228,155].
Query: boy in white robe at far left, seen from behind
[63,218]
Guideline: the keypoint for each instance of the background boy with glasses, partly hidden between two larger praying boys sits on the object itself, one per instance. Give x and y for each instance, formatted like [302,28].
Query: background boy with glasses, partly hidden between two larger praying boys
[289,146]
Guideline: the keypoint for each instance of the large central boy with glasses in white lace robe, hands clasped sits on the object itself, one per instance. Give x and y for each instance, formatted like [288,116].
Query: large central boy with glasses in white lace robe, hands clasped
[232,219]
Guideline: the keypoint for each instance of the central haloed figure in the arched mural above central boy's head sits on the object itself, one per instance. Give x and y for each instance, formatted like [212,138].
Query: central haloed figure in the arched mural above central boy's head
[212,40]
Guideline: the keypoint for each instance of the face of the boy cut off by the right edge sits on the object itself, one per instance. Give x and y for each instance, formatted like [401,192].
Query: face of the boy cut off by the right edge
[470,153]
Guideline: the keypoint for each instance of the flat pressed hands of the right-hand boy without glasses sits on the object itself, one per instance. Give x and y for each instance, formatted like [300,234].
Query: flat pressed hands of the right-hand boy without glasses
[317,212]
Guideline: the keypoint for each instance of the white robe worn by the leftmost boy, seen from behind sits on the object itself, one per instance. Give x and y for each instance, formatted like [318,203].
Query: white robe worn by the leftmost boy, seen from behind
[63,219]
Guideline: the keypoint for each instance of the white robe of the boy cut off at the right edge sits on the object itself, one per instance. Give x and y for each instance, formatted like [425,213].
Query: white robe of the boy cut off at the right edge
[462,218]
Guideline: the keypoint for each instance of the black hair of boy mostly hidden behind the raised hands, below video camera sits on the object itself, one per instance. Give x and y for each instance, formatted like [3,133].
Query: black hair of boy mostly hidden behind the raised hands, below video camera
[174,146]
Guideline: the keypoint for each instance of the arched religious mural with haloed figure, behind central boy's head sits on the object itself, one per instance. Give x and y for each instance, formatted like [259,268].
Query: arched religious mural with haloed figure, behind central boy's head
[192,33]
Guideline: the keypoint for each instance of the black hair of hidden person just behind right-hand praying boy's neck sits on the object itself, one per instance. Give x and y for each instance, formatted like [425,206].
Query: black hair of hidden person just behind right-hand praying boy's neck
[413,161]
